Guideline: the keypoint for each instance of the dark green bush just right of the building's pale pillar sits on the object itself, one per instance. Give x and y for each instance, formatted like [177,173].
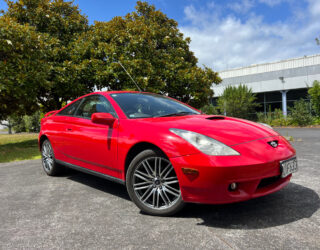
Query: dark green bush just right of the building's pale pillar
[300,113]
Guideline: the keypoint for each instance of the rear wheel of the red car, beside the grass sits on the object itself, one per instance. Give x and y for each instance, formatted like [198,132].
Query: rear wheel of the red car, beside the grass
[49,164]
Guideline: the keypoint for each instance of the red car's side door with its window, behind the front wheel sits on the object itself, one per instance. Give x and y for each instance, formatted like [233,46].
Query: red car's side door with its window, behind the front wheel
[91,145]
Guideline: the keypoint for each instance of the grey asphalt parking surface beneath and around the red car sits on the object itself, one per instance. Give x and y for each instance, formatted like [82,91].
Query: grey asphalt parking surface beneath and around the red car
[81,211]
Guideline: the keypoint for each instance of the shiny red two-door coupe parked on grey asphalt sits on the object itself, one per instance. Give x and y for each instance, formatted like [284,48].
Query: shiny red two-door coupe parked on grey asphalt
[165,152]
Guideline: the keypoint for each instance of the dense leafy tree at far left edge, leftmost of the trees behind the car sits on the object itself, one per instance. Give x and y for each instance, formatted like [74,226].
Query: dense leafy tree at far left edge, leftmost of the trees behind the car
[23,67]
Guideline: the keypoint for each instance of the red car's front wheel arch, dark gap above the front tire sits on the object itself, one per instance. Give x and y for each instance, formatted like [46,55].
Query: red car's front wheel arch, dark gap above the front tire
[138,148]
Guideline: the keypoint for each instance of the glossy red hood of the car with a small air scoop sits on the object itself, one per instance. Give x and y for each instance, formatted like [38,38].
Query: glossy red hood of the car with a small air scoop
[230,131]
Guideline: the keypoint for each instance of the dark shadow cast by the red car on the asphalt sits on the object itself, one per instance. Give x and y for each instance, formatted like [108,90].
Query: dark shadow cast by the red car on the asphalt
[292,203]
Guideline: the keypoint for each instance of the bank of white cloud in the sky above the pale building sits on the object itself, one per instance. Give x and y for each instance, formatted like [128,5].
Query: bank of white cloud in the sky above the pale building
[229,42]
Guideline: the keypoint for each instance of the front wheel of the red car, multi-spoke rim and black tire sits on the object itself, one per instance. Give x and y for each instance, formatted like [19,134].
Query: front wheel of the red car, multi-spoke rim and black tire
[158,189]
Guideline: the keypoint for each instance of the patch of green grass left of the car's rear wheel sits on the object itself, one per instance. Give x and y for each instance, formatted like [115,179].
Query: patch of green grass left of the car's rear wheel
[17,147]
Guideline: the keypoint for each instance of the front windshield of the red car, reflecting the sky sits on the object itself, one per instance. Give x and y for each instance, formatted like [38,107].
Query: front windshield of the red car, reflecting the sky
[142,105]
